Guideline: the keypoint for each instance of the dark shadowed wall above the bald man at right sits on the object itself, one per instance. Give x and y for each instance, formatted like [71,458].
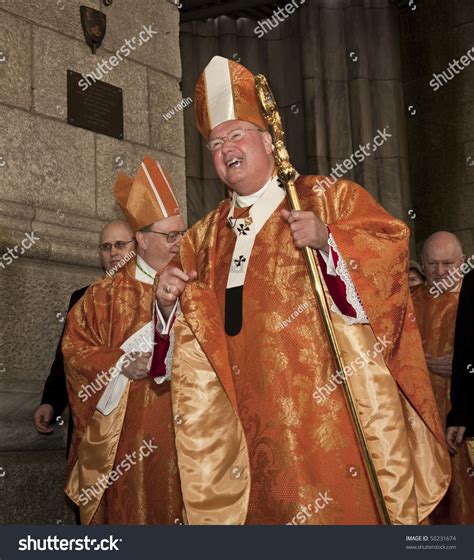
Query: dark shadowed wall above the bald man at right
[440,124]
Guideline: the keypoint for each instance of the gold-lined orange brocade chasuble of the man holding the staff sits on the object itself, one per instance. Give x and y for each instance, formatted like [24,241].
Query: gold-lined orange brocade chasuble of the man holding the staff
[254,446]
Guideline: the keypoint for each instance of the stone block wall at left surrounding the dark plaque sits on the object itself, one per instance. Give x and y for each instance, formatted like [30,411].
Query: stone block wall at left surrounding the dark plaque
[56,181]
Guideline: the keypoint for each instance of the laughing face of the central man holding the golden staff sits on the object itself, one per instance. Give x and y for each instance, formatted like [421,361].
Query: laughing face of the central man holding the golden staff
[244,166]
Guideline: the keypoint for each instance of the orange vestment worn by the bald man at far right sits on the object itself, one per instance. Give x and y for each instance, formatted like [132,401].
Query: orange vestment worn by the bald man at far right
[436,317]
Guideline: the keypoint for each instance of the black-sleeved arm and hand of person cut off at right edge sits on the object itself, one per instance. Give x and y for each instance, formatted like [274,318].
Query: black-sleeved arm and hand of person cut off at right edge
[460,421]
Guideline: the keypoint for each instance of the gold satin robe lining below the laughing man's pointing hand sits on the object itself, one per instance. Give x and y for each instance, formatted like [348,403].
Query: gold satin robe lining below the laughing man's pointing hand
[212,452]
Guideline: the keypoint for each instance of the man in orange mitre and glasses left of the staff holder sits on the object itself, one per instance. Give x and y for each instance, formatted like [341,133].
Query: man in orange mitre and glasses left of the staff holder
[122,465]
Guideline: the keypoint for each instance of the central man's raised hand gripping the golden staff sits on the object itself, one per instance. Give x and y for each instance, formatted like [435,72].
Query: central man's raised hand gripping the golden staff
[307,229]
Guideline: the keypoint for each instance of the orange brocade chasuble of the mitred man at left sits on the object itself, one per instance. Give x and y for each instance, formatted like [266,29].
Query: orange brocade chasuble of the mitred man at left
[147,491]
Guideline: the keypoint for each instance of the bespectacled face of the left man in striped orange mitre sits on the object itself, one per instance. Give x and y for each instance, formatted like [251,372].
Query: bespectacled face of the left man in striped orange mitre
[154,248]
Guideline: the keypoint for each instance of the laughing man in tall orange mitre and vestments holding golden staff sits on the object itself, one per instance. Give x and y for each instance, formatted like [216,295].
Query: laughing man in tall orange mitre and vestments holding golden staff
[262,425]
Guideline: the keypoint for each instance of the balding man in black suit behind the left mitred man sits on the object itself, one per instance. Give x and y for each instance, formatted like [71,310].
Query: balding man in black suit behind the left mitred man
[116,242]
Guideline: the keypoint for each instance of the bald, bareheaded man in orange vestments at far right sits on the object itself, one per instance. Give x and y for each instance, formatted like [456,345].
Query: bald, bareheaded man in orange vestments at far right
[436,304]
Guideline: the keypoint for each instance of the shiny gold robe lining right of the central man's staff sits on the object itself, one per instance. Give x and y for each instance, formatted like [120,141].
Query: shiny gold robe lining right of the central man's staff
[395,435]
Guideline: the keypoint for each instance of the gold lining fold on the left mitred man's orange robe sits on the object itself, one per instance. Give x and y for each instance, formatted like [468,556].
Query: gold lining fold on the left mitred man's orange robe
[96,456]
